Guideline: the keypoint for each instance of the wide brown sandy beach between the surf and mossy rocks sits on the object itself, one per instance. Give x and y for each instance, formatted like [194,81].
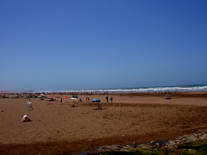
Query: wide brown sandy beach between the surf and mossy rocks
[59,128]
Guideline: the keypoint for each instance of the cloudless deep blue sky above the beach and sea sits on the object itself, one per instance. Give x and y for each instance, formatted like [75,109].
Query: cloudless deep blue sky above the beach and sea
[91,44]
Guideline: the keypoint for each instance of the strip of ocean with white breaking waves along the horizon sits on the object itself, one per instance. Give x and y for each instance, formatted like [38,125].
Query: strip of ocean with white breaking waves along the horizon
[185,88]
